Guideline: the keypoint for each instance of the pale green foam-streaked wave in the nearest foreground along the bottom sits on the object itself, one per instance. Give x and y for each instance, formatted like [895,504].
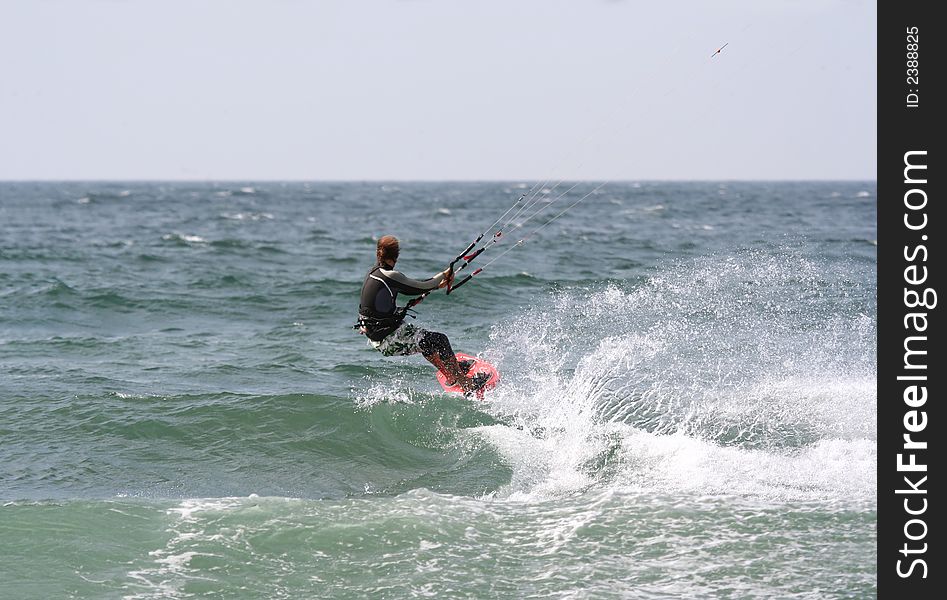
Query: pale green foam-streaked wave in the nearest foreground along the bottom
[422,543]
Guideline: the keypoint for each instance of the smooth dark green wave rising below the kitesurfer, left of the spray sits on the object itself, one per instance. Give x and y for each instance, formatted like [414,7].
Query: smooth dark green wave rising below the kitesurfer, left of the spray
[161,445]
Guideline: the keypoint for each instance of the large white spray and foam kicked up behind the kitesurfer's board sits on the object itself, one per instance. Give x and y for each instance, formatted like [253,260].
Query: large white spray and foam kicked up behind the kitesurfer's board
[713,379]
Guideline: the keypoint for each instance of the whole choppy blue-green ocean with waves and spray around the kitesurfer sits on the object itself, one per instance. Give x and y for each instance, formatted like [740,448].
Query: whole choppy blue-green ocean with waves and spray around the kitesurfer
[687,406]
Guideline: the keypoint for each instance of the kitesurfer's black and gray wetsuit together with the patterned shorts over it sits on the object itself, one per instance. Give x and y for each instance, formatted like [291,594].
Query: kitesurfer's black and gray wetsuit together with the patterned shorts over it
[382,320]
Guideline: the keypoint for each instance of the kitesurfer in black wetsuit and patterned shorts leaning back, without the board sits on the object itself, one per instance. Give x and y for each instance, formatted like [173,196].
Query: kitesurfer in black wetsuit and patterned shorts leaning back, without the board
[382,321]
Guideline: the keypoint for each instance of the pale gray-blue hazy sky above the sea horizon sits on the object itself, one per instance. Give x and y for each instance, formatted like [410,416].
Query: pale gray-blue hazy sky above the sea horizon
[437,89]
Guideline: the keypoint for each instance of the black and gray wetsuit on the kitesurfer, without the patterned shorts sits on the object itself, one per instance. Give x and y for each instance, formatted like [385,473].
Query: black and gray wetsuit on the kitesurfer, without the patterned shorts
[378,310]
